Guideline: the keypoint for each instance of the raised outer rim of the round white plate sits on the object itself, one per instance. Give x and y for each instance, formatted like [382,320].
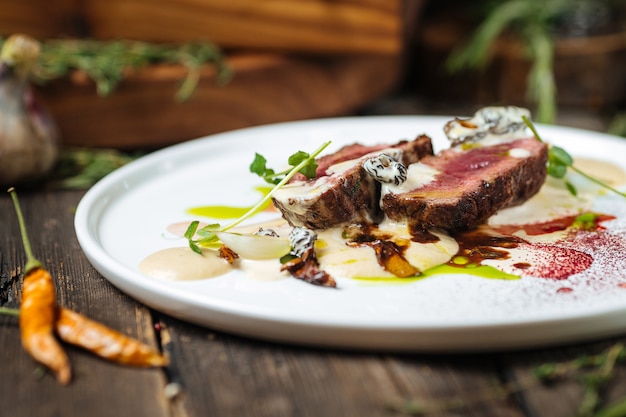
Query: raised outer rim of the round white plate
[88,240]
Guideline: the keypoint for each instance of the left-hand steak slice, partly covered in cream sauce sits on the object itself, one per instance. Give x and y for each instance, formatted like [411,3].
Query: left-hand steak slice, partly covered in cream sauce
[342,192]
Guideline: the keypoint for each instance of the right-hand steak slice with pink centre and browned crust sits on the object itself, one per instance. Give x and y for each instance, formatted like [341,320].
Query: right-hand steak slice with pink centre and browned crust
[462,188]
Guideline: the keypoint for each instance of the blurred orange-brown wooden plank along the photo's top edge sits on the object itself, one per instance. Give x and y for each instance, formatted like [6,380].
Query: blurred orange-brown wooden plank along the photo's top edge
[351,26]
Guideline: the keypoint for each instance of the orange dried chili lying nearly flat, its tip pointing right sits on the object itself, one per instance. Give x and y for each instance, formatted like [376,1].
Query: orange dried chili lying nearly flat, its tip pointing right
[105,342]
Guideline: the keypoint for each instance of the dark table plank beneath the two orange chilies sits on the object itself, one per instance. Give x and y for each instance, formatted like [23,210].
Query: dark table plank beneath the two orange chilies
[102,388]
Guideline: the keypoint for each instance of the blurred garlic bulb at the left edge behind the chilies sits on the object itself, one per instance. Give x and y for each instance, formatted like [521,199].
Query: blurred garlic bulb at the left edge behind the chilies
[29,140]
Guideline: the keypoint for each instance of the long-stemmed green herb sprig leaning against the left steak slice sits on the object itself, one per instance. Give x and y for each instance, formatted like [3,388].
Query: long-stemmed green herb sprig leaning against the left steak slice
[300,162]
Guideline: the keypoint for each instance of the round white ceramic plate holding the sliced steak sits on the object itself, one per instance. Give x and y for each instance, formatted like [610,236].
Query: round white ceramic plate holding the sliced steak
[122,219]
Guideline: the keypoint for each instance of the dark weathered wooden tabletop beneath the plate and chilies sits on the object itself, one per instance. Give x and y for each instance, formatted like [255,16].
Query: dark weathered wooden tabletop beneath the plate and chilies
[218,374]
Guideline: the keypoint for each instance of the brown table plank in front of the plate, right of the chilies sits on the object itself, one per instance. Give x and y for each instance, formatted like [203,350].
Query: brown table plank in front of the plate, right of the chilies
[228,375]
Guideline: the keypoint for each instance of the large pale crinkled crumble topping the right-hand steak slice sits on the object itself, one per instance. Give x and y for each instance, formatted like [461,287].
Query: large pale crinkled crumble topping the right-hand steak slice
[489,125]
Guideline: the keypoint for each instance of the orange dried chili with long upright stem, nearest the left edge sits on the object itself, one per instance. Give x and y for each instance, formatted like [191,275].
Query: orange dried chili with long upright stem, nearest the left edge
[38,311]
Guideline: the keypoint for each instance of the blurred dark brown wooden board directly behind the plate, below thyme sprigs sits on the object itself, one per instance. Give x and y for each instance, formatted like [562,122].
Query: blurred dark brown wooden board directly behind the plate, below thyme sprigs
[265,88]
